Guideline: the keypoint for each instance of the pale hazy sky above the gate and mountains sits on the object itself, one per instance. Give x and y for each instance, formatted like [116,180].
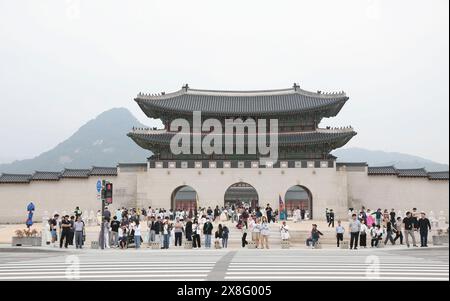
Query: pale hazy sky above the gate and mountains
[64,62]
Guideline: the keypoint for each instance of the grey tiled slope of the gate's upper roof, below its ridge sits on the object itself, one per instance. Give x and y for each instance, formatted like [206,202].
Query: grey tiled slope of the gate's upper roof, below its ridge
[327,107]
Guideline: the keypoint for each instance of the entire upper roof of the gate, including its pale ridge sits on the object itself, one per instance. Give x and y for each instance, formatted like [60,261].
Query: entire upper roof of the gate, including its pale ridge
[239,103]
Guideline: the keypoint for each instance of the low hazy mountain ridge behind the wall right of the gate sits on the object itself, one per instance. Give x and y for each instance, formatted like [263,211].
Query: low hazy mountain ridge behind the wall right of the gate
[381,158]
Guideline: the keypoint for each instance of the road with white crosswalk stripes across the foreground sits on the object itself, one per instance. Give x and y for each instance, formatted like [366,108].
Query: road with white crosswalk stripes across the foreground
[242,264]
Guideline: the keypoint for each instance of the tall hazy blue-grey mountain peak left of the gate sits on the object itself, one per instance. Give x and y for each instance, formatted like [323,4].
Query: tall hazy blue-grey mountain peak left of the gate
[100,142]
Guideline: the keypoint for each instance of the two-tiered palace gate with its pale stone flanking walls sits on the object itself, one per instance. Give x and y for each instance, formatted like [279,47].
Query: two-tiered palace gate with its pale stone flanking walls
[304,173]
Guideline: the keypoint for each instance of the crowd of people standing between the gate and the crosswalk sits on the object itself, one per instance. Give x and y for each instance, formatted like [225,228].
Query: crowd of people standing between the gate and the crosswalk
[123,228]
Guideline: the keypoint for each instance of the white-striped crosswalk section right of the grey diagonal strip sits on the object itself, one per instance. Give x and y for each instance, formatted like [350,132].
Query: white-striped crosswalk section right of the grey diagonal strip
[335,269]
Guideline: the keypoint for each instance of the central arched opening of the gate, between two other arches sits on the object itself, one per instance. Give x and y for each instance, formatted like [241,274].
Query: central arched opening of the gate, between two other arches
[241,194]
